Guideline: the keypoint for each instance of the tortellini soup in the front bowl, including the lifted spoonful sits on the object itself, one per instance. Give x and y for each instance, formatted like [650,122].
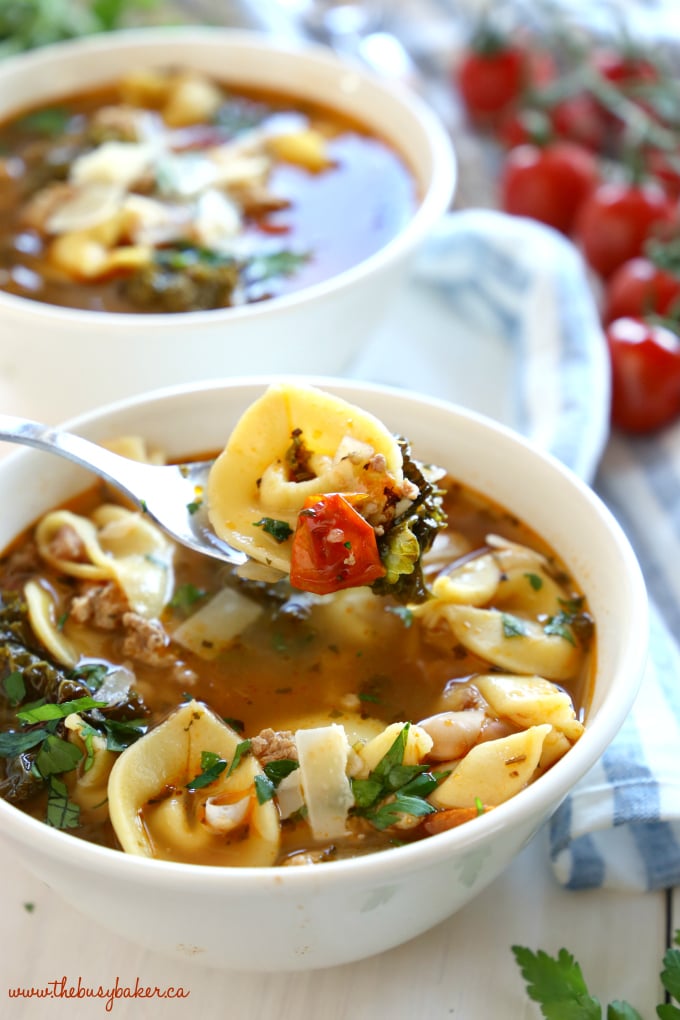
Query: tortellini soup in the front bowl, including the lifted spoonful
[400,655]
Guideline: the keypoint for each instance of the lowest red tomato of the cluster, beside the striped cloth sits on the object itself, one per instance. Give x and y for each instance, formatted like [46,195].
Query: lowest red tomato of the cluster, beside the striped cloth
[646,375]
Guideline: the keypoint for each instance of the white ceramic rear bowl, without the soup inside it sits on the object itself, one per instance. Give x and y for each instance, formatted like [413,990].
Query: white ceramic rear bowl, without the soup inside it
[317,330]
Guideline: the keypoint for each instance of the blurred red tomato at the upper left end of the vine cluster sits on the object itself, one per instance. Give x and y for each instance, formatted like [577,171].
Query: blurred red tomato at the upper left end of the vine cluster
[491,79]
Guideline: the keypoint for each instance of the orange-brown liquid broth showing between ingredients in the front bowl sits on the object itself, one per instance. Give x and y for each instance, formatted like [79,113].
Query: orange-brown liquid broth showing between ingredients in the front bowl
[352,658]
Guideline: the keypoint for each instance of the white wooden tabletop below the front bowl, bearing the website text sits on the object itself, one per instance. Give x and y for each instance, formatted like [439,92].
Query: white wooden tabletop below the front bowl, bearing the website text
[463,968]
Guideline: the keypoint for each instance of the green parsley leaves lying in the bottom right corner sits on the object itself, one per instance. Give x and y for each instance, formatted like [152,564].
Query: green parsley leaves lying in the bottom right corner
[558,986]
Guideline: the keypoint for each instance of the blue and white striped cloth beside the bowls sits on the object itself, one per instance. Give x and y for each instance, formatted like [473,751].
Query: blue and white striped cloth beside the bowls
[500,318]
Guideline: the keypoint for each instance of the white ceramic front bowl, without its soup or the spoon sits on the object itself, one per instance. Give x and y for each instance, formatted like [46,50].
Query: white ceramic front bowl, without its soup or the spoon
[300,919]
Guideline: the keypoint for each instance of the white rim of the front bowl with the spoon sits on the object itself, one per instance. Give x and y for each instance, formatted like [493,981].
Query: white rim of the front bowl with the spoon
[540,799]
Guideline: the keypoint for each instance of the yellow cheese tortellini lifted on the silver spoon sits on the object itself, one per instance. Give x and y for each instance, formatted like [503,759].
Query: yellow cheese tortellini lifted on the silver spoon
[293,443]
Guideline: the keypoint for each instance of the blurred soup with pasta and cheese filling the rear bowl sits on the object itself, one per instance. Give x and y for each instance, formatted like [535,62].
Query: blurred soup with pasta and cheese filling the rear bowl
[169,192]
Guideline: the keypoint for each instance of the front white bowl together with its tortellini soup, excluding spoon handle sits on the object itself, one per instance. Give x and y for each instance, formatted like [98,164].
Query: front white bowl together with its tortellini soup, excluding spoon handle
[343,741]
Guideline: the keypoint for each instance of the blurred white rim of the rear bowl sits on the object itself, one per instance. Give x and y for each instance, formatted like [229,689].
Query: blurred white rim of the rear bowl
[435,202]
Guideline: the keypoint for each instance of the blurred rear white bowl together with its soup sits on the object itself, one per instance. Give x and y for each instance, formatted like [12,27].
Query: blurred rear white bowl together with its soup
[205,202]
